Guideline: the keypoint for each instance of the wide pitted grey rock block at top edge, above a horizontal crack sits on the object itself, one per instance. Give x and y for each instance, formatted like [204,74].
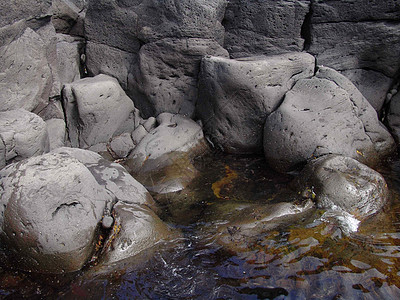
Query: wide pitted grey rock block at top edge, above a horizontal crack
[146,21]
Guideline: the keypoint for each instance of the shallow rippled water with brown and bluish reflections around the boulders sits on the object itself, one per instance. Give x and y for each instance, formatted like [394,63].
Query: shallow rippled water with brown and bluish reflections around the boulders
[308,259]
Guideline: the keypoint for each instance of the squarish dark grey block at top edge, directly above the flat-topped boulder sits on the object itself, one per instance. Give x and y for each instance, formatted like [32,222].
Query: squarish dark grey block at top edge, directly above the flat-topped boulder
[264,27]
